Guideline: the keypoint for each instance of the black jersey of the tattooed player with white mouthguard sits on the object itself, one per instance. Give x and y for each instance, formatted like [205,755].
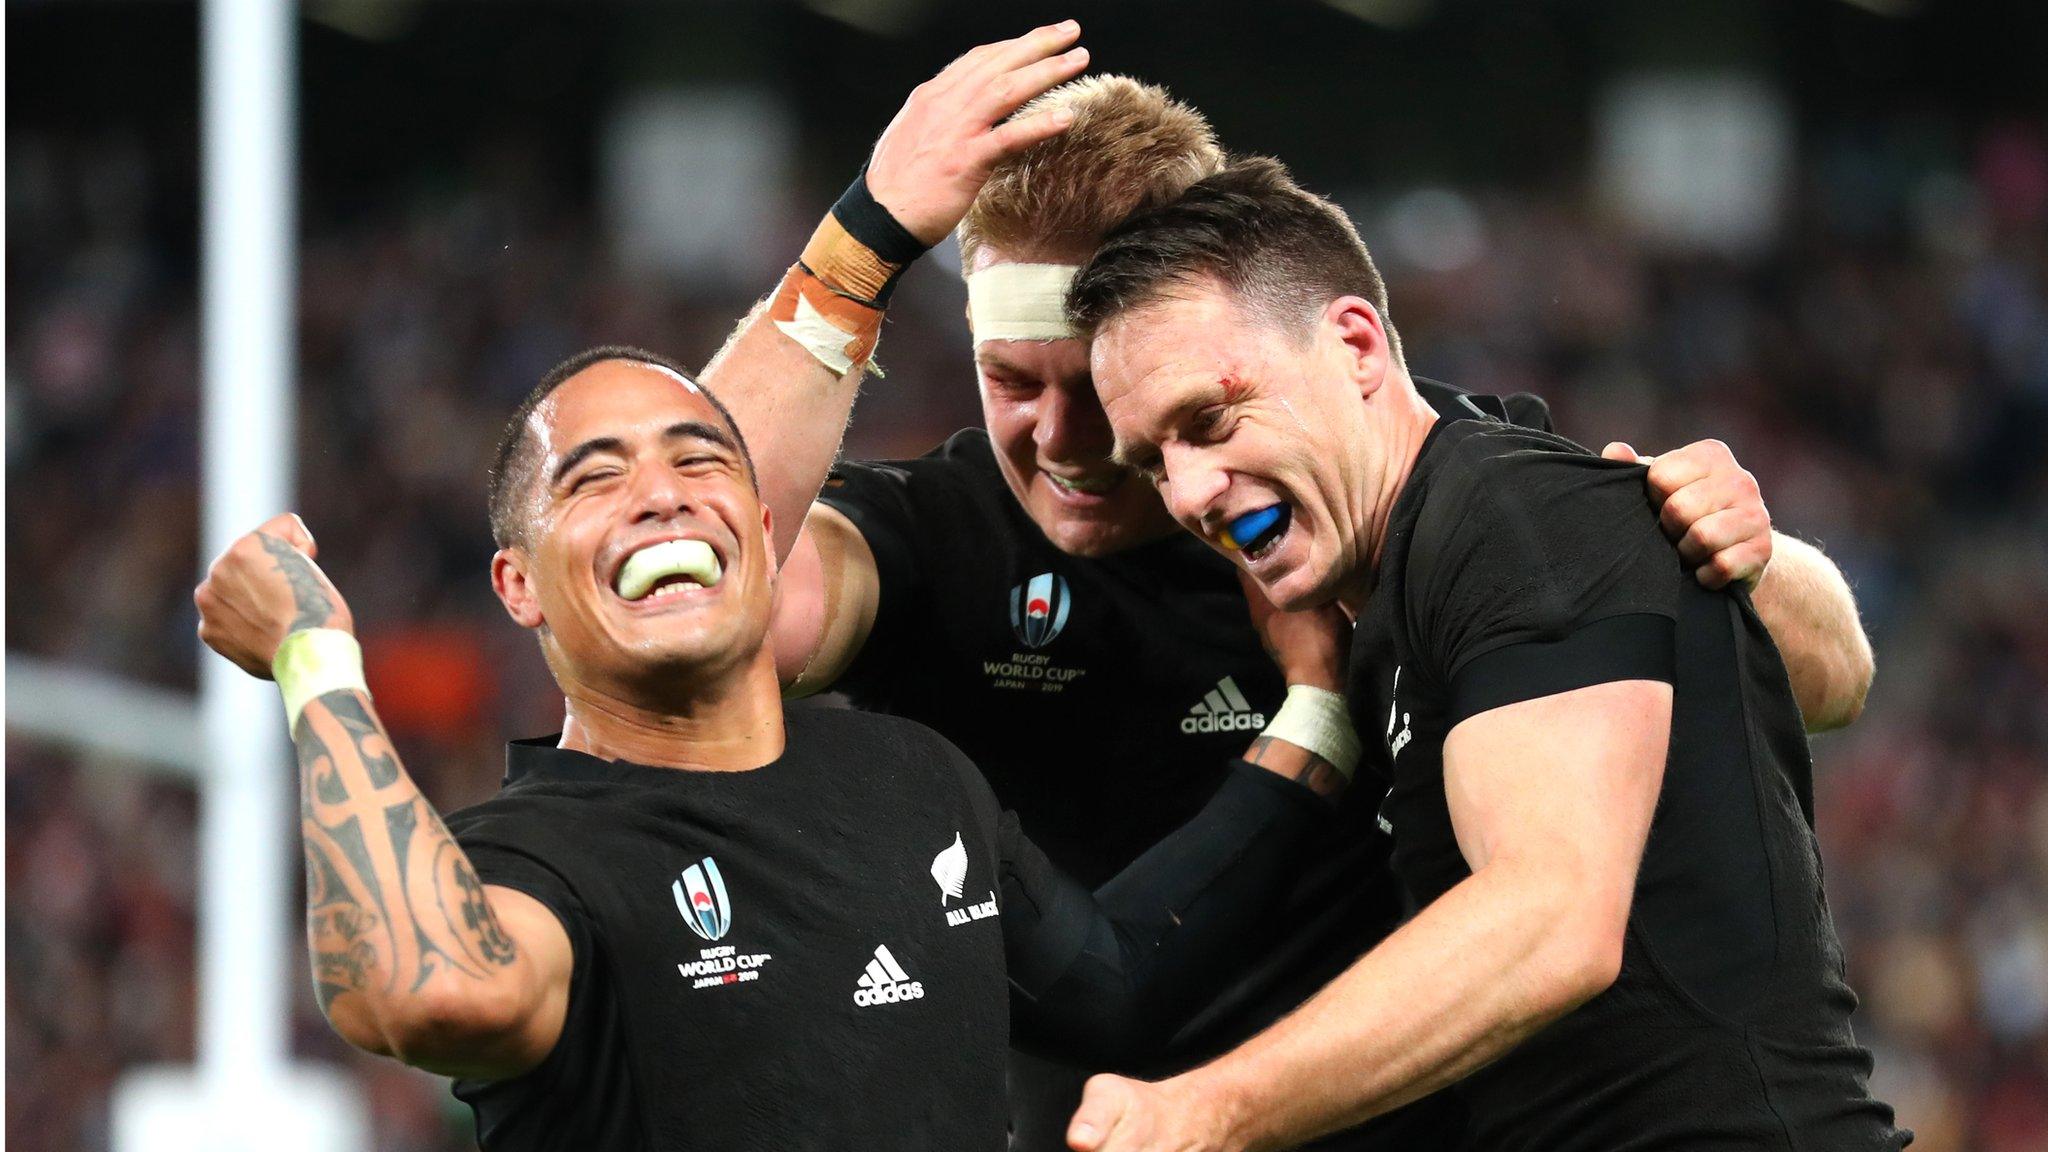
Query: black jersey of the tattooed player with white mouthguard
[812,954]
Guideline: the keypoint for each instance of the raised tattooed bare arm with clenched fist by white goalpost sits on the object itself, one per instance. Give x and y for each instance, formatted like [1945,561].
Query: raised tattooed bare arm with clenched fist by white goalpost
[411,954]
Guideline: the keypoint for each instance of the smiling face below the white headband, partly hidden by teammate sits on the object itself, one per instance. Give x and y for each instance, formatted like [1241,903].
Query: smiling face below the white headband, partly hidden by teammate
[1054,446]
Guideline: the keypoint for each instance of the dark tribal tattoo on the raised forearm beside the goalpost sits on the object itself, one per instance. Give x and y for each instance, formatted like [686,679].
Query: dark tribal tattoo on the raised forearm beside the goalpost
[392,905]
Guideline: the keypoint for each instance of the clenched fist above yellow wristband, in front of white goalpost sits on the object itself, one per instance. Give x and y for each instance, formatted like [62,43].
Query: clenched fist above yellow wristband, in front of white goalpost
[263,589]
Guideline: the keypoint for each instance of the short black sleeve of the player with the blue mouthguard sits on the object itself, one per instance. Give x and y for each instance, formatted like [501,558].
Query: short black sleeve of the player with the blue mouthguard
[1537,571]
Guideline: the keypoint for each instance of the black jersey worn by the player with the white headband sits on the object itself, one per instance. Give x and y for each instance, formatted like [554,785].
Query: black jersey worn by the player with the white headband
[1025,655]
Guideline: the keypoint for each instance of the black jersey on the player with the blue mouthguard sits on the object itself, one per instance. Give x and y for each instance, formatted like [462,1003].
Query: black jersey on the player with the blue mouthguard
[1517,567]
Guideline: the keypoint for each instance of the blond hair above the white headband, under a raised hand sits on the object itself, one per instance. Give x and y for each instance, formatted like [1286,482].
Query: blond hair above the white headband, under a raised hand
[1132,147]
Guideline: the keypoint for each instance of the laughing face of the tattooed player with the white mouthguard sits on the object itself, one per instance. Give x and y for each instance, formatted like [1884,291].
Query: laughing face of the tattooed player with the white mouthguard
[646,550]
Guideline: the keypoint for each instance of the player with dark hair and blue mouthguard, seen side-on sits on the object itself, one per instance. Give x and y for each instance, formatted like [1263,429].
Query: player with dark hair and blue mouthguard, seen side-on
[1601,790]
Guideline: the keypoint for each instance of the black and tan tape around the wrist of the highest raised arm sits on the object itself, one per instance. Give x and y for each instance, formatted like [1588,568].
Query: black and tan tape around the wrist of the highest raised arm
[833,300]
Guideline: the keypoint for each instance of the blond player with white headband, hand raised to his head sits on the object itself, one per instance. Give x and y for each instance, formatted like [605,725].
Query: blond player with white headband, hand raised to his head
[1021,593]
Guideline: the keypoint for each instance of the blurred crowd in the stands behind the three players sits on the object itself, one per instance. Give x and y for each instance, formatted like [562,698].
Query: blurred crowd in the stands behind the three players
[1883,370]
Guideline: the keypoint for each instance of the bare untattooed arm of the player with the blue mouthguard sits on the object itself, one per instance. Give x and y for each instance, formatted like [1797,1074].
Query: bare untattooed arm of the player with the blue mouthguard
[1551,803]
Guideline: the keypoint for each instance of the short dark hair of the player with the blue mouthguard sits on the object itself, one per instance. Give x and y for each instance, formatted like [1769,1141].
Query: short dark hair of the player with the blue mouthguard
[1283,251]
